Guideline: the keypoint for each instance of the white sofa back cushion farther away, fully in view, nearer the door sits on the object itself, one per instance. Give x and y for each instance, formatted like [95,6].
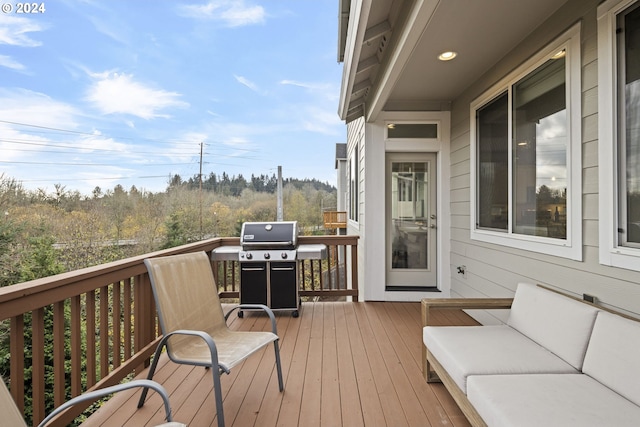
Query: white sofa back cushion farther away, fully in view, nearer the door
[560,324]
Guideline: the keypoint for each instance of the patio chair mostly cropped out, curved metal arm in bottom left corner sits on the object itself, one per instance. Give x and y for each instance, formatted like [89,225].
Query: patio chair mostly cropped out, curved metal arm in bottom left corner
[11,415]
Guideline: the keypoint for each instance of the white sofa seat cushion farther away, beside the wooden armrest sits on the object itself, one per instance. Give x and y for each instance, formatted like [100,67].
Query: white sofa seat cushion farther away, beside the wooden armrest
[486,350]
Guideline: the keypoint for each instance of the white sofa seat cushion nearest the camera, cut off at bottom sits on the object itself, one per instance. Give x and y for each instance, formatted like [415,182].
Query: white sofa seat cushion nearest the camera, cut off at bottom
[549,401]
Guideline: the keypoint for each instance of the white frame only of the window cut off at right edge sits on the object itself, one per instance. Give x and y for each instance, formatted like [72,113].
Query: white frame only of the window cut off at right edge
[611,253]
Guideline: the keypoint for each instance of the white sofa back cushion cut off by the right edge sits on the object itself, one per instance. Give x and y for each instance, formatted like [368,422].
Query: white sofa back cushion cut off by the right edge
[613,356]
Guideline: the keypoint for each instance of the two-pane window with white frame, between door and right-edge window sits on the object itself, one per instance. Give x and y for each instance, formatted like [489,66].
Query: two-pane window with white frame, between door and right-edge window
[526,144]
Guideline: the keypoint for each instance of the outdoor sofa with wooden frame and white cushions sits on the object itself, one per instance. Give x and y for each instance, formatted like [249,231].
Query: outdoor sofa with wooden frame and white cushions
[556,362]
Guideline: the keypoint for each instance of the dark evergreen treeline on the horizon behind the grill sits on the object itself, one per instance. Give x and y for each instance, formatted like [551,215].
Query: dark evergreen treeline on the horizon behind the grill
[234,185]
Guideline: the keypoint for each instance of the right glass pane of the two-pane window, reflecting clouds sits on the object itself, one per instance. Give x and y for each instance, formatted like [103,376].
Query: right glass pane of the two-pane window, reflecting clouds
[539,148]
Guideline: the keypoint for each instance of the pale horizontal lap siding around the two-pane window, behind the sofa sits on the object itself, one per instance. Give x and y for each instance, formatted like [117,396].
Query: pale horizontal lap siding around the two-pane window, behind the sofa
[494,270]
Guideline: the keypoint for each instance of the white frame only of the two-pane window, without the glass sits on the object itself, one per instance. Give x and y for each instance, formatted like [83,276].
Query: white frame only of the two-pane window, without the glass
[571,247]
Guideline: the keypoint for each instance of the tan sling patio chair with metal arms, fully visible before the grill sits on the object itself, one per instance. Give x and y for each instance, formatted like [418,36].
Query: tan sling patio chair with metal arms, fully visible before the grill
[193,324]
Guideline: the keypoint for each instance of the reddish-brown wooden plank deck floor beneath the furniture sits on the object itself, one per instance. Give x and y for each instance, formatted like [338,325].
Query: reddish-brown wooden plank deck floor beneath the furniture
[344,364]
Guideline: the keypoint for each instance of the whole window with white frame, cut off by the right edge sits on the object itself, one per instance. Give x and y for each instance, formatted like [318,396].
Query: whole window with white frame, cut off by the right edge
[619,132]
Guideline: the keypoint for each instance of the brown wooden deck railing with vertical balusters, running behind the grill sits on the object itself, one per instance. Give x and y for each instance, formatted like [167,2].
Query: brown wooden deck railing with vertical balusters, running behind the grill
[92,328]
